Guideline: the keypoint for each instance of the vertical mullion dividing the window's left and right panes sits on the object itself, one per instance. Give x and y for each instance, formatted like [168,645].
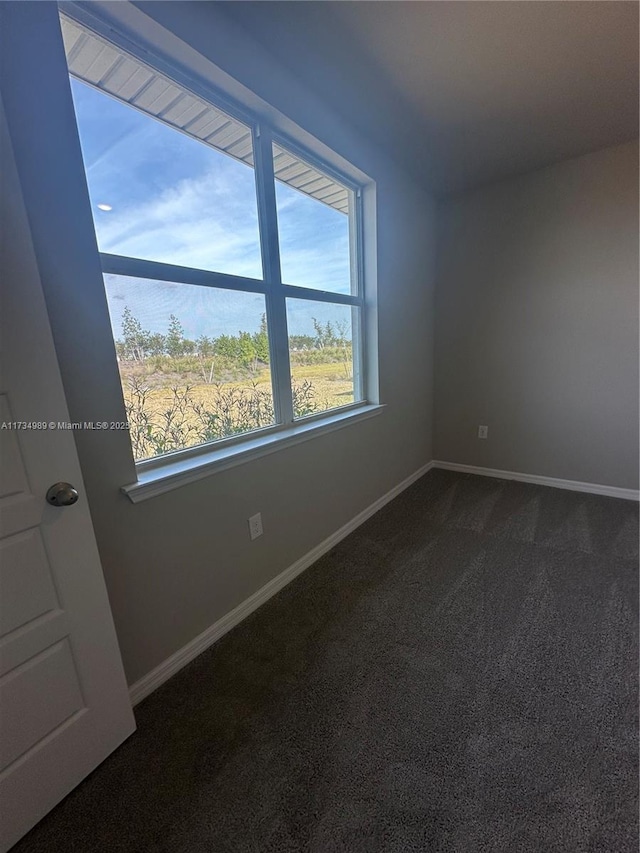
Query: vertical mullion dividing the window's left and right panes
[276,306]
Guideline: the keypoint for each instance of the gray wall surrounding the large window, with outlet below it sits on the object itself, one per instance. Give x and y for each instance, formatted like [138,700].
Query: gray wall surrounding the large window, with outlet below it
[177,563]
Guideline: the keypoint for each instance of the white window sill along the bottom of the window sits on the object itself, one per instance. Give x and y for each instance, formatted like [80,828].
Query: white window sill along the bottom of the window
[174,474]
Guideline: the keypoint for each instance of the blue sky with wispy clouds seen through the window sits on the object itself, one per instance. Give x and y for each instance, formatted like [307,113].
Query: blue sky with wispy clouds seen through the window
[176,200]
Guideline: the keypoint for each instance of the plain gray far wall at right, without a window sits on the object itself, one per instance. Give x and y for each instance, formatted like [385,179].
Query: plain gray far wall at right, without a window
[537,322]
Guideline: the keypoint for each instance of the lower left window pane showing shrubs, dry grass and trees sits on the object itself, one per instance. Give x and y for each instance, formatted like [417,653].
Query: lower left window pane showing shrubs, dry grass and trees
[193,361]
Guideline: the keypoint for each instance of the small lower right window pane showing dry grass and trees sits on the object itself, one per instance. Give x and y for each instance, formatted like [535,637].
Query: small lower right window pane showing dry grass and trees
[321,352]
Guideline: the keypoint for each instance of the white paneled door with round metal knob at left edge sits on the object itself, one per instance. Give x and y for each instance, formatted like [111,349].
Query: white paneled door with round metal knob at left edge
[64,704]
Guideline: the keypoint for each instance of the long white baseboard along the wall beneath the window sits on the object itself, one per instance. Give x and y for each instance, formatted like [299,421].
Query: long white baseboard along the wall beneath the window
[150,682]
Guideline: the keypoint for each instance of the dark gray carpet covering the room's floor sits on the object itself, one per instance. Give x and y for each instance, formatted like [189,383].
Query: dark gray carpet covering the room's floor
[458,675]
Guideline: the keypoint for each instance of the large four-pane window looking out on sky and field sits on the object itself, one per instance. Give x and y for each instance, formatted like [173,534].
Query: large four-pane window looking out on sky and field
[231,257]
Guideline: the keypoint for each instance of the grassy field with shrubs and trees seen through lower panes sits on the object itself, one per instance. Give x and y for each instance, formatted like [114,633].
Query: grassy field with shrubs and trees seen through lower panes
[180,392]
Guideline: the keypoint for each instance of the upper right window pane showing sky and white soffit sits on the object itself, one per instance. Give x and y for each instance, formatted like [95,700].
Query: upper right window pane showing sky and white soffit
[313,226]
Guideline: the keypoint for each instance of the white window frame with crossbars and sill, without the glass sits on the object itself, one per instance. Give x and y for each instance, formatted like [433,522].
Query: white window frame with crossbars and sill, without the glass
[171,470]
